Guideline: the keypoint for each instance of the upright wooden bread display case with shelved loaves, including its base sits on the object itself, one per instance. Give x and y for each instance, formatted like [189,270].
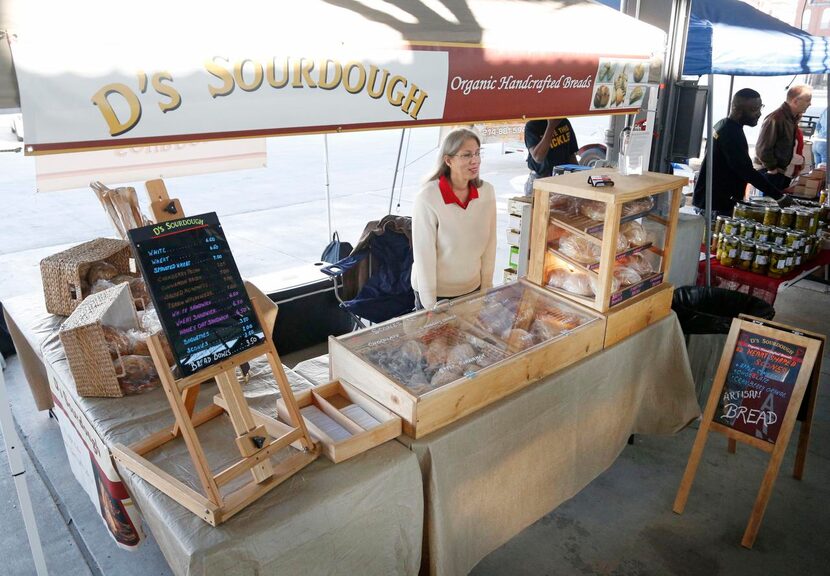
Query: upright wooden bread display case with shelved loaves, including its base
[609,247]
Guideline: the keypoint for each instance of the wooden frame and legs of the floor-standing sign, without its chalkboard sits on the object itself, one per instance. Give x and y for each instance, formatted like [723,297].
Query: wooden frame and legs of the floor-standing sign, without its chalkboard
[808,378]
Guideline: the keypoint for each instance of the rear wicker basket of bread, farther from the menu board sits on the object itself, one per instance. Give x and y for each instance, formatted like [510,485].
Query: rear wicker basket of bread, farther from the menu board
[64,273]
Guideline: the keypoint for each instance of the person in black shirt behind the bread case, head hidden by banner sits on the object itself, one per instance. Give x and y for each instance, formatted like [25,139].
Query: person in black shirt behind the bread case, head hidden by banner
[549,143]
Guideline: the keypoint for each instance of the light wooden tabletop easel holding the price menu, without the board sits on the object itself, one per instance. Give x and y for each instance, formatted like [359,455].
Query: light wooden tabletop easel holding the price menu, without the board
[256,444]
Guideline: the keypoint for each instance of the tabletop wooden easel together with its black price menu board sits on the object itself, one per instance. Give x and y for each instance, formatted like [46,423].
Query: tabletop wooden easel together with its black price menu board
[214,323]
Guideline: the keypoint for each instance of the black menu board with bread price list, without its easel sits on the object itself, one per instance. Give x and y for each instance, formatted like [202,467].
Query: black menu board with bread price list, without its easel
[197,290]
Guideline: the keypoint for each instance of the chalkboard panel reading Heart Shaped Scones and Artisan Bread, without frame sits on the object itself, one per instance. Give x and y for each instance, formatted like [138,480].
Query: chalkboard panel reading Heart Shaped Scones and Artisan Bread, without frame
[759,385]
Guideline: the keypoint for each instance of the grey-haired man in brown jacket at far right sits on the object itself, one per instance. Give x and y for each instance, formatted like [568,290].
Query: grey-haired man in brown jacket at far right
[776,142]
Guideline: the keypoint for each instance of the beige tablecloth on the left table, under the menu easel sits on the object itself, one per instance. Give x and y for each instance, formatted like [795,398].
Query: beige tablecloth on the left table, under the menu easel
[363,516]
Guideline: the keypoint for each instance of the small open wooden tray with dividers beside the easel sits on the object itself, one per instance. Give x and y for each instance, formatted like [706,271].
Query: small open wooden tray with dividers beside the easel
[349,436]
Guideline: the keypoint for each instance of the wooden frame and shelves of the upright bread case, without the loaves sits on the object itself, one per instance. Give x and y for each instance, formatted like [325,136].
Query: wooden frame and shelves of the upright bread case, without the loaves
[603,233]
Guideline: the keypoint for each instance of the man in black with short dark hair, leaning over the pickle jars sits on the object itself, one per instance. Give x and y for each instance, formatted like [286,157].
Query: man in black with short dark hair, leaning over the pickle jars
[732,168]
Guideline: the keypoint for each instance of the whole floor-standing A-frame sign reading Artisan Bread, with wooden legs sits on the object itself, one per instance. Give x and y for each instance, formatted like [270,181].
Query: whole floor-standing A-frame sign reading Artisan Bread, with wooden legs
[764,372]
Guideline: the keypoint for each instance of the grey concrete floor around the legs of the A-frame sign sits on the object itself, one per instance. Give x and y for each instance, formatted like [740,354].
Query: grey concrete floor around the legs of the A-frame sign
[622,523]
